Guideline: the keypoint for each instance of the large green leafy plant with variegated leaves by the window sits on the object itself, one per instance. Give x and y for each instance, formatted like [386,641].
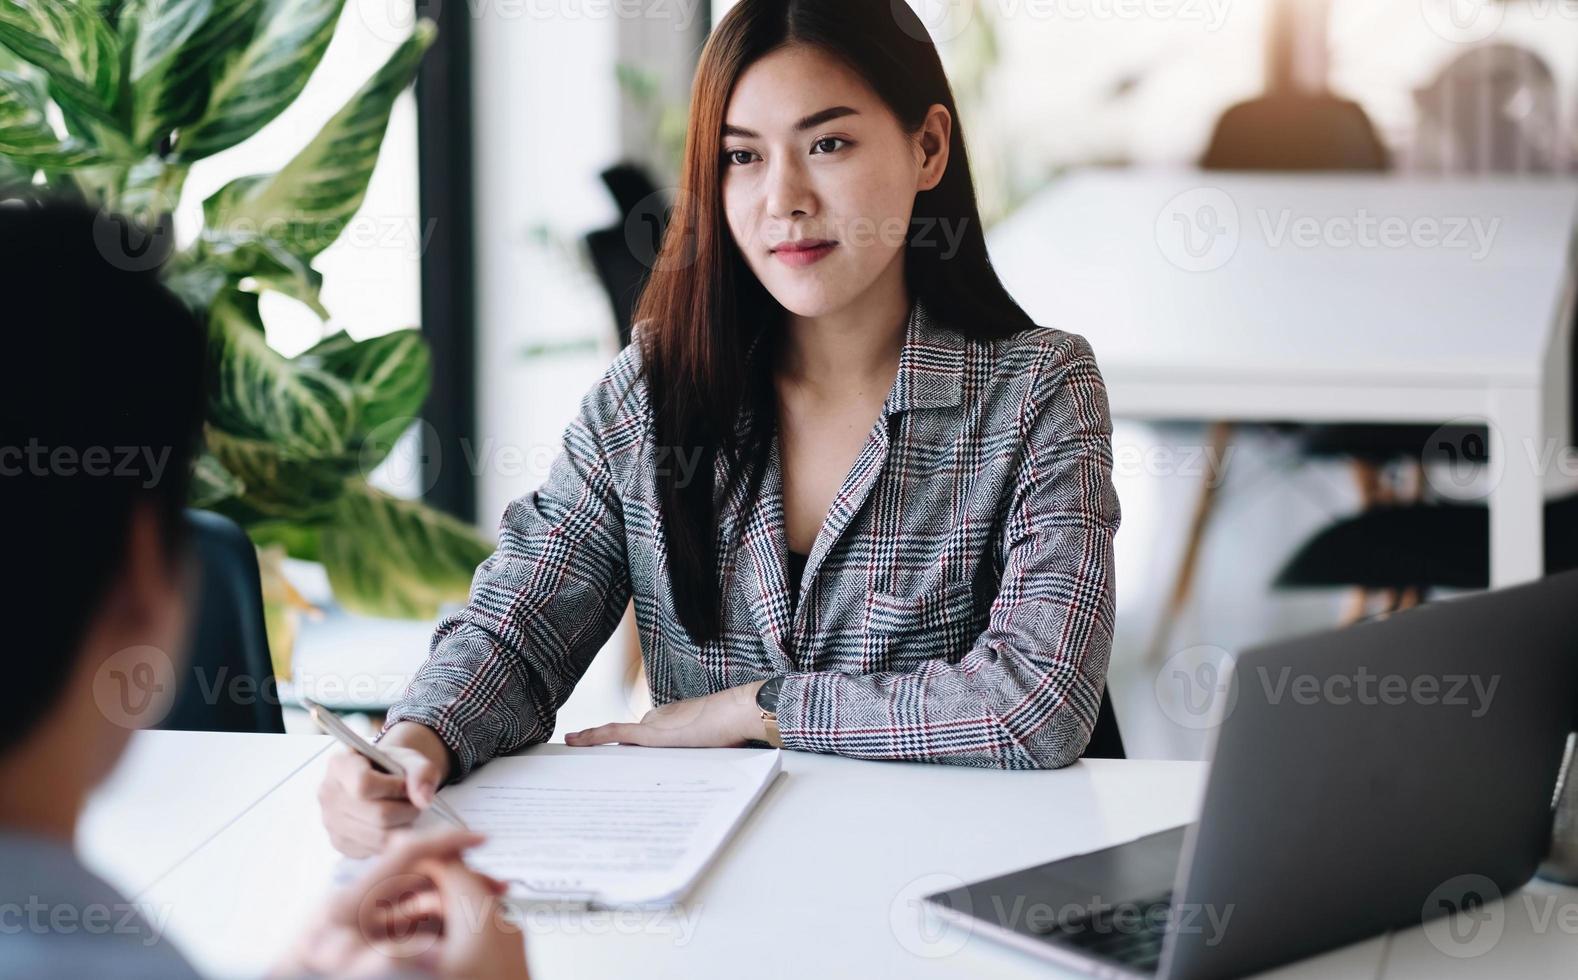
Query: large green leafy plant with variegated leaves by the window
[114,102]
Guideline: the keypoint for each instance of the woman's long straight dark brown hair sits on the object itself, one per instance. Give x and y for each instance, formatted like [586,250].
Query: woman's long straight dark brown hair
[703,305]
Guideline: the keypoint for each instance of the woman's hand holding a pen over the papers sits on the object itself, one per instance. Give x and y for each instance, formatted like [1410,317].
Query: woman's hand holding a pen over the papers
[362,806]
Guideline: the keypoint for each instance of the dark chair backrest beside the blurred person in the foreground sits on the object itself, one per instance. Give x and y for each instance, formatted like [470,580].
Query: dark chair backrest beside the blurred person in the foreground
[230,686]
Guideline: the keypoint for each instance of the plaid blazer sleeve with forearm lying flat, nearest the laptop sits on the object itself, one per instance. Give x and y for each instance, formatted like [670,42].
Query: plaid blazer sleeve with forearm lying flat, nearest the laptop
[1026,695]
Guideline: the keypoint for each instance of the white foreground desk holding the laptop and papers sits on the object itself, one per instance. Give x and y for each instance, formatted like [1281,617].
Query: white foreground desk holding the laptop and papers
[821,881]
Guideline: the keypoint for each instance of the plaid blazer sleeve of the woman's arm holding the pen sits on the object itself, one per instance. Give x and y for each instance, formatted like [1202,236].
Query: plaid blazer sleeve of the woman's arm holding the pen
[544,604]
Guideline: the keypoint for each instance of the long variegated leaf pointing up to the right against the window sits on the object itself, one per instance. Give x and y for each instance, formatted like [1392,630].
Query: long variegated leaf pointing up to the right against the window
[308,204]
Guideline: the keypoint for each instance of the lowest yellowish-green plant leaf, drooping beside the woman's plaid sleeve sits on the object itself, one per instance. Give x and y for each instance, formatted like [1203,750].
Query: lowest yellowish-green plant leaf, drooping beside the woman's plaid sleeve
[387,556]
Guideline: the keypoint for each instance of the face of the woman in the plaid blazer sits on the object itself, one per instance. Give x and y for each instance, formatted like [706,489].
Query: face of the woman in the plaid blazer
[812,155]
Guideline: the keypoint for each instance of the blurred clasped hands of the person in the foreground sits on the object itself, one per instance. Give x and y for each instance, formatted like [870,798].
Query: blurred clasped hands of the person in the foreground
[419,908]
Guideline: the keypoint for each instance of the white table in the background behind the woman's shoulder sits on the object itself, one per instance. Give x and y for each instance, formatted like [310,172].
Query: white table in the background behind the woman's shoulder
[1214,296]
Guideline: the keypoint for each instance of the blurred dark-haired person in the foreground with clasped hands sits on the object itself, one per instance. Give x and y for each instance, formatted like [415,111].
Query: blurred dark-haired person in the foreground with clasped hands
[100,417]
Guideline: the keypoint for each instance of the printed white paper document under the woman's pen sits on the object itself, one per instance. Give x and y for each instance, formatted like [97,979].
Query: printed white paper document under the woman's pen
[608,826]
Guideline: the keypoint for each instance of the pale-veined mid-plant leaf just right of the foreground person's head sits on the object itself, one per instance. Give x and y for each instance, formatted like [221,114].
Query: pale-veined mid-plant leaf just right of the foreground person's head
[258,394]
